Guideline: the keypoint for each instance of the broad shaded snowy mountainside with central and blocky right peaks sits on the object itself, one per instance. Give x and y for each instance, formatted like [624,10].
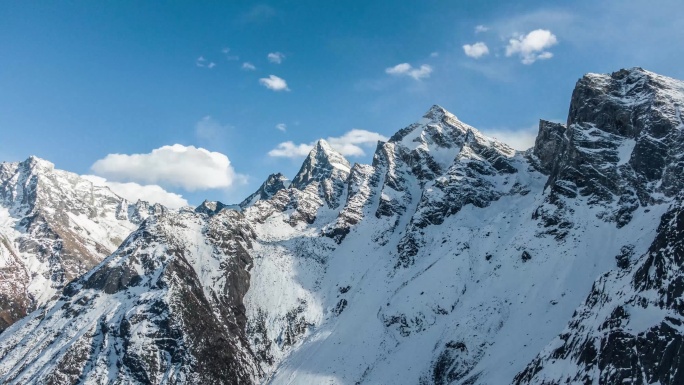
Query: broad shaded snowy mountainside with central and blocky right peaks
[459,259]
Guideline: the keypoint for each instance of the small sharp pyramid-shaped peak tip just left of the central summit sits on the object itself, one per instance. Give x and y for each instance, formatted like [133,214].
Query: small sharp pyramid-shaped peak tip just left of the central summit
[328,168]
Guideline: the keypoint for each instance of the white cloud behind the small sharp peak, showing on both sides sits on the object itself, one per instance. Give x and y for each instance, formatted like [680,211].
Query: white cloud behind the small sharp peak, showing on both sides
[349,144]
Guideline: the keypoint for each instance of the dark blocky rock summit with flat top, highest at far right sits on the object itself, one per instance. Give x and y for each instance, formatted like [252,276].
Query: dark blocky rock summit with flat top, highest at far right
[624,142]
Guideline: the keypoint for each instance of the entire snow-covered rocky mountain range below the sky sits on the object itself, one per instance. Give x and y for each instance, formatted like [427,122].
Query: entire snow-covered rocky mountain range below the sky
[451,259]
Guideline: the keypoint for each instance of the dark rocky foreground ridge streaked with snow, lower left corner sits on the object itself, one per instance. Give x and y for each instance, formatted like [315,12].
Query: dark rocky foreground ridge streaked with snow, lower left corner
[165,308]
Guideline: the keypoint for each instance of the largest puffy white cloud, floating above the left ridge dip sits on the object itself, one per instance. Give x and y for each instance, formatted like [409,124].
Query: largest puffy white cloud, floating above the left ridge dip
[187,167]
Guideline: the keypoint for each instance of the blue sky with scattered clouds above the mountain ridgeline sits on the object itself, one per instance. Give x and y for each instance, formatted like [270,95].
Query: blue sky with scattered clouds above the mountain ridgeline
[205,99]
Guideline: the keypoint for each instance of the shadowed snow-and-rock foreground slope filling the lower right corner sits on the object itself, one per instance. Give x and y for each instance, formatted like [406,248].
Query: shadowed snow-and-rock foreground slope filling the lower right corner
[630,328]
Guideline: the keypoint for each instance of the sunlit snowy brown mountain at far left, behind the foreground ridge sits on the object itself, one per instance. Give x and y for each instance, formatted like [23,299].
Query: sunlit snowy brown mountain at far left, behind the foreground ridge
[54,226]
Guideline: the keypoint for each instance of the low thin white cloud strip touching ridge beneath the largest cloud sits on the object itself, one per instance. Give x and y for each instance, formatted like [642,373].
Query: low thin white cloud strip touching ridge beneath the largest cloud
[134,192]
